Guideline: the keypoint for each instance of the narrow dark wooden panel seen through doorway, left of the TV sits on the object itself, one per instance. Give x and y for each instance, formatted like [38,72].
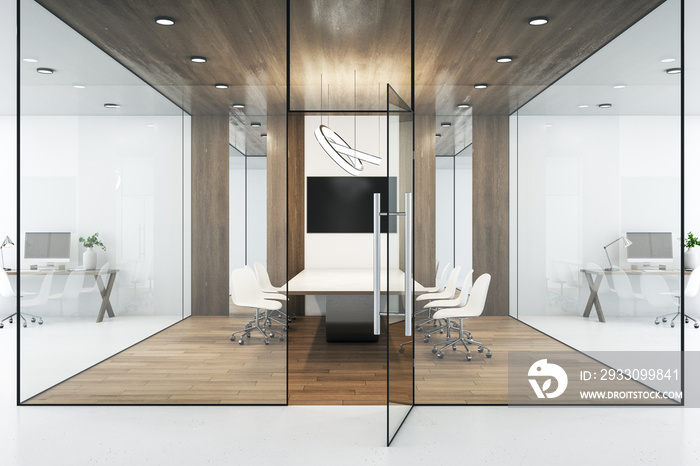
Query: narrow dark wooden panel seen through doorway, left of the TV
[295,191]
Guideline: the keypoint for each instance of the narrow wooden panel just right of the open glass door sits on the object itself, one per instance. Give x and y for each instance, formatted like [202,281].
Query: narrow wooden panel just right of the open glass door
[424,199]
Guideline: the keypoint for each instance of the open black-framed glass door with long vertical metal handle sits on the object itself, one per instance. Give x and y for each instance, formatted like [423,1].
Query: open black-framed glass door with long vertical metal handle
[393,267]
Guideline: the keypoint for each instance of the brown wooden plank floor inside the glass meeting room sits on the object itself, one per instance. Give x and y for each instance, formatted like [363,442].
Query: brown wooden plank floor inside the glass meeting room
[194,362]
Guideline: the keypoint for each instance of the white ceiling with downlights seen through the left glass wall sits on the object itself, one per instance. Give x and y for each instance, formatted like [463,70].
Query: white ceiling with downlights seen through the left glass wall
[77,61]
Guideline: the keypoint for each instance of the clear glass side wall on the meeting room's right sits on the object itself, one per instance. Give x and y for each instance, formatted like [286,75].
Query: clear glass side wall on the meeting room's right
[595,165]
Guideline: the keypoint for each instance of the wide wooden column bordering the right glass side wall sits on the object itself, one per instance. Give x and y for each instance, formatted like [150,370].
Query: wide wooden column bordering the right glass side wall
[490,208]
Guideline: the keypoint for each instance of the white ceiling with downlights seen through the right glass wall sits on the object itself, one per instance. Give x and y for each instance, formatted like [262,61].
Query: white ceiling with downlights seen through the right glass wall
[633,59]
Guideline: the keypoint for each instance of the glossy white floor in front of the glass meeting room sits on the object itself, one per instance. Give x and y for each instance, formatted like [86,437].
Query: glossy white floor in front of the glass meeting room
[32,435]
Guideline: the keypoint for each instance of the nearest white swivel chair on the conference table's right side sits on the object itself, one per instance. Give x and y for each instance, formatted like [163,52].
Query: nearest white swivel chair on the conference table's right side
[473,308]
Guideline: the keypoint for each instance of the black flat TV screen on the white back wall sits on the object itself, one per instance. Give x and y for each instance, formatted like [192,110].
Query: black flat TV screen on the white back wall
[344,204]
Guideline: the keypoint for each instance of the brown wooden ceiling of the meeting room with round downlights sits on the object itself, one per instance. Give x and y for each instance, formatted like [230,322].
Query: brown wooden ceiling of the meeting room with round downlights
[347,50]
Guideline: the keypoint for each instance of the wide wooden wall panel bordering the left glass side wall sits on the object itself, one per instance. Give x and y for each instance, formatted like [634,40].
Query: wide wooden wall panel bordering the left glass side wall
[210,216]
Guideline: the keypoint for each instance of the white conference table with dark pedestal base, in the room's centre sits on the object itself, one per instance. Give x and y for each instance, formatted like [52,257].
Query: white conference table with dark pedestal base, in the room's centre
[347,297]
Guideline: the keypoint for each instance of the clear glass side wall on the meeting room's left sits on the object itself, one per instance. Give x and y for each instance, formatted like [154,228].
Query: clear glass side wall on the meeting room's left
[104,154]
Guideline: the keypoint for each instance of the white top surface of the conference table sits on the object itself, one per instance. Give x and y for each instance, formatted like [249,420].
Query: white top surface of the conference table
[344,281]
